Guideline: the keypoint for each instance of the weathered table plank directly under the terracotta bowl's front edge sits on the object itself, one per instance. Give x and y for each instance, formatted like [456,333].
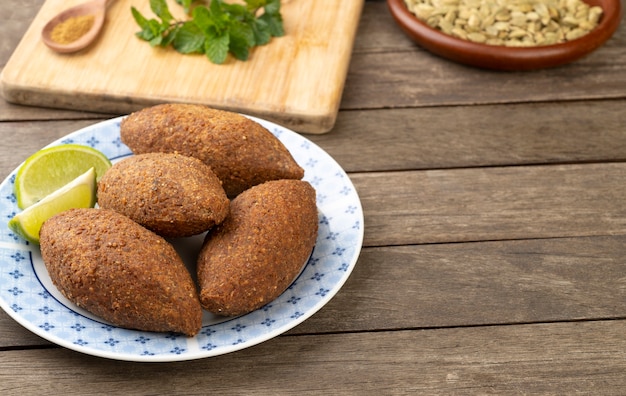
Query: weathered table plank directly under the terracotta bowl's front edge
[383,79]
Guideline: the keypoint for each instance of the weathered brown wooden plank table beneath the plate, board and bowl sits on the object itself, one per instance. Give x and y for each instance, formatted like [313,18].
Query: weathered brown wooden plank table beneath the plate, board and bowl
[494,257]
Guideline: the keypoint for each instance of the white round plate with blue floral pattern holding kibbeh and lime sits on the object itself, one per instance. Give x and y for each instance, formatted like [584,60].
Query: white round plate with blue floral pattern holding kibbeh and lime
[28,296]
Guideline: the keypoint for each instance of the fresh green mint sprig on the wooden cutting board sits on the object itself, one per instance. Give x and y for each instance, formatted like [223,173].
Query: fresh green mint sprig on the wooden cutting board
[215,30]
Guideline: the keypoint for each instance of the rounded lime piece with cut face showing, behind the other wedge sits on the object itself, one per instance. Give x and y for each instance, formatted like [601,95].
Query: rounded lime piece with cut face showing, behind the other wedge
[51,168]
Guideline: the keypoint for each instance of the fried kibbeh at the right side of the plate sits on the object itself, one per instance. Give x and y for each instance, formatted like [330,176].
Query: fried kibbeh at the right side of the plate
[256,253]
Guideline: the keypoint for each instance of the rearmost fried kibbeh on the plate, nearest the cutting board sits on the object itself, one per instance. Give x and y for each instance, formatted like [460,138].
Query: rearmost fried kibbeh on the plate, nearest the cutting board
[241,152]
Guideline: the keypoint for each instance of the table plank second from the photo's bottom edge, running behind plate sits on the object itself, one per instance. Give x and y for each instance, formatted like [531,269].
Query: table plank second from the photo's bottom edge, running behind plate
[464,284]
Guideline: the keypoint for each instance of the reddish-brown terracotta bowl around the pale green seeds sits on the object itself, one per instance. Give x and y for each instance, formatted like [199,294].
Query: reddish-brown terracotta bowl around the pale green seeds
[508,58]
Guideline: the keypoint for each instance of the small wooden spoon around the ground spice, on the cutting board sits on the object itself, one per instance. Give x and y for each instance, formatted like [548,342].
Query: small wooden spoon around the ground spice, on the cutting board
[97,8]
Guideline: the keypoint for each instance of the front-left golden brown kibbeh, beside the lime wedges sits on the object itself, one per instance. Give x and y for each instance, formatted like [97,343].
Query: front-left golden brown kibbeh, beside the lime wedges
[111,266]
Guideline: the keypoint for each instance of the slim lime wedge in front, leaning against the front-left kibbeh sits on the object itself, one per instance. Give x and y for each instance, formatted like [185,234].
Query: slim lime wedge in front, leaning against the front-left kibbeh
[79,193]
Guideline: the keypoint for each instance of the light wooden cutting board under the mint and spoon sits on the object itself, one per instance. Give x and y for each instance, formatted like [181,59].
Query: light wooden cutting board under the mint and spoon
[296,80]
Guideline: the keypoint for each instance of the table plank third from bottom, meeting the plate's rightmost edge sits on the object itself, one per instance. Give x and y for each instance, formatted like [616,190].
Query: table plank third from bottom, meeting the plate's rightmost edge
[481,204]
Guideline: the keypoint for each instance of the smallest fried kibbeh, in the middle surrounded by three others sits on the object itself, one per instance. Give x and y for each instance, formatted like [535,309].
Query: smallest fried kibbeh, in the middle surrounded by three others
[170,194]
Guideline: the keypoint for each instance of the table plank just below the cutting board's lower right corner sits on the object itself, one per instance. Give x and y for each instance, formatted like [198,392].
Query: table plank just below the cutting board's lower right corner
[470,136]
